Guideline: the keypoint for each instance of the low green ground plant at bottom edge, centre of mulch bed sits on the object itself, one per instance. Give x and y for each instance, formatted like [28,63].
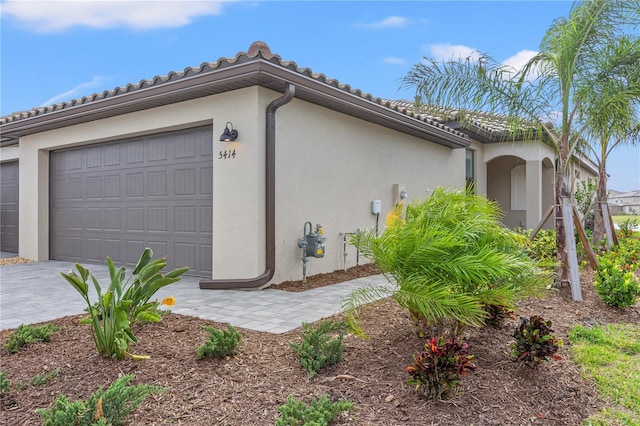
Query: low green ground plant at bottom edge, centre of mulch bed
[320,412]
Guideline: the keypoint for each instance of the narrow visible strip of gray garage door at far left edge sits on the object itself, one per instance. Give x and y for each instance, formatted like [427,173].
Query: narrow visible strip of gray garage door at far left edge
[9,207]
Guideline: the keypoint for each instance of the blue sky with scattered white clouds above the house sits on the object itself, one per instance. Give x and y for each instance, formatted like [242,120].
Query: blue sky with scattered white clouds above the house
[54,51]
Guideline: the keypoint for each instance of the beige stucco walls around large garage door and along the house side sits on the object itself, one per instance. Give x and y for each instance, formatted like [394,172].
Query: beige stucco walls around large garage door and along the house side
[329,168]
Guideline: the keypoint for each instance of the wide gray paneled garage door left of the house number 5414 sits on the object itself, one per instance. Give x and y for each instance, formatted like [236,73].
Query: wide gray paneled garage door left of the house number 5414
[114,199]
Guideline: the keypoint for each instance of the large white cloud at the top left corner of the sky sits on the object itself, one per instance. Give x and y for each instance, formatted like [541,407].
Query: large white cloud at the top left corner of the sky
[58,15]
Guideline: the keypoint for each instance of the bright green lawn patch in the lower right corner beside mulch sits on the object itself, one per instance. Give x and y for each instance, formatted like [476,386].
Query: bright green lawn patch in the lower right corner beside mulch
[610,355]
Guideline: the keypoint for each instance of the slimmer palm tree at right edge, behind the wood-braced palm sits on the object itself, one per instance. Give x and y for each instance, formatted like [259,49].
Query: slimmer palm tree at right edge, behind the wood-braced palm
[612,115]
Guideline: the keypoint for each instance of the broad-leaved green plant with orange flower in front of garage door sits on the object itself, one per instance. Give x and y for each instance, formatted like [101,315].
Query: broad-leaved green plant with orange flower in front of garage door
[124,302]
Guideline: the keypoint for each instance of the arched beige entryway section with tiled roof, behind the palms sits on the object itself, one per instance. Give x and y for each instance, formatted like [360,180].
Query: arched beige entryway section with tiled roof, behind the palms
[518,174]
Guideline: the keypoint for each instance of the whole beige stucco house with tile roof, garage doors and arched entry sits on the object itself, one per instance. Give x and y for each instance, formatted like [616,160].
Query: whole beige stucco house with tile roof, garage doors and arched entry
[143,165]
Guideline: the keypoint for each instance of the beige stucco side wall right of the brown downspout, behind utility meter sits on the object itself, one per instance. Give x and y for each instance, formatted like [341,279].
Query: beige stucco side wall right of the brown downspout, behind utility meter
[329,168]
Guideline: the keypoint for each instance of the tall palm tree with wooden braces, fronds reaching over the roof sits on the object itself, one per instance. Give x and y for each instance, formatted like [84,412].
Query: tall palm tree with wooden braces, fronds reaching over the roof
[571,58]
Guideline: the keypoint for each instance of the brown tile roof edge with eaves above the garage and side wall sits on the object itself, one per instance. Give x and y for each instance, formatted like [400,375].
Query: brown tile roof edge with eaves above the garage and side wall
[258,66]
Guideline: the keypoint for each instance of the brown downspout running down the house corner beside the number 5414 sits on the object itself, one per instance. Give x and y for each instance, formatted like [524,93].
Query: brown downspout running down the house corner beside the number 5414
[270,205]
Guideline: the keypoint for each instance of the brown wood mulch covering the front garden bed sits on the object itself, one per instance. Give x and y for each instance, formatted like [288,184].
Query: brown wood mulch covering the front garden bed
[247,389]
